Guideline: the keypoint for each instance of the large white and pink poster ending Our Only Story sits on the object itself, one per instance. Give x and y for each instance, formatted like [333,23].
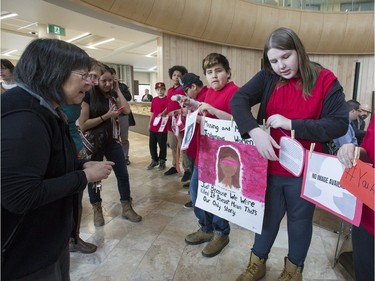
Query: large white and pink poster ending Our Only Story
[232,175]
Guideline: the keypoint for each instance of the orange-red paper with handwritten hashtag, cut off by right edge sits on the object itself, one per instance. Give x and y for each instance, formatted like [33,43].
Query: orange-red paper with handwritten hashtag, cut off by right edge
[359,180]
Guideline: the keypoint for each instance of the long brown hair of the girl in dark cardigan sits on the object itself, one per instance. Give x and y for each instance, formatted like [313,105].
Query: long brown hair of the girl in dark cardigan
[286,39]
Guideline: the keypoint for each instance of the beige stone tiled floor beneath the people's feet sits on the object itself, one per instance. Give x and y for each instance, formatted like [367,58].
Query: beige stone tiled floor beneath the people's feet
[155,250]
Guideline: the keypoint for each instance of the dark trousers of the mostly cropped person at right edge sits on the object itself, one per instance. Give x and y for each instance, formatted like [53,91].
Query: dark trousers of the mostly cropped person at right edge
[363,254]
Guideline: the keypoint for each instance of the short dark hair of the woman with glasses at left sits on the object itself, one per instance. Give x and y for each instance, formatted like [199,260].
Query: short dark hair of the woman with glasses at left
[46,64]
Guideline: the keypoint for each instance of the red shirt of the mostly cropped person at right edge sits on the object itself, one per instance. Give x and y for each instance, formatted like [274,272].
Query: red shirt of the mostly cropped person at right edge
[367,219]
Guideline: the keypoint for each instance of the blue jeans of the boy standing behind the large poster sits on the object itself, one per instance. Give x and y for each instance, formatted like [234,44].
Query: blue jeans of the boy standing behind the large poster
[207,221]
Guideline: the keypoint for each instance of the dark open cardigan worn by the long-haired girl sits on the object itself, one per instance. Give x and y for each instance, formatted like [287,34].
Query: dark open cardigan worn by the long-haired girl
[333,121]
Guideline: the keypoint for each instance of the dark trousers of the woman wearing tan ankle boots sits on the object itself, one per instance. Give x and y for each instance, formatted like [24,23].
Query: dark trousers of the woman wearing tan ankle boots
[113,152]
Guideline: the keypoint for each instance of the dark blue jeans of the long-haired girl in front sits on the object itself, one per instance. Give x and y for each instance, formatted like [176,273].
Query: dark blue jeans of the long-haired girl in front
[283,195]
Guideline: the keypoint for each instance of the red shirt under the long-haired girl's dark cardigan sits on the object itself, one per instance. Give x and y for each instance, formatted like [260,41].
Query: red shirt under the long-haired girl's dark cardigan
[287,100]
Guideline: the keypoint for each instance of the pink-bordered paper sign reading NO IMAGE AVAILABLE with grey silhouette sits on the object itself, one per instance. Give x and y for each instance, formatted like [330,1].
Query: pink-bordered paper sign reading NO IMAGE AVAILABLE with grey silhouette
[321,186]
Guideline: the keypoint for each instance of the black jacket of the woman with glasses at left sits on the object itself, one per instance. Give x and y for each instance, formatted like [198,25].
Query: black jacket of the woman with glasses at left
[39,175]
